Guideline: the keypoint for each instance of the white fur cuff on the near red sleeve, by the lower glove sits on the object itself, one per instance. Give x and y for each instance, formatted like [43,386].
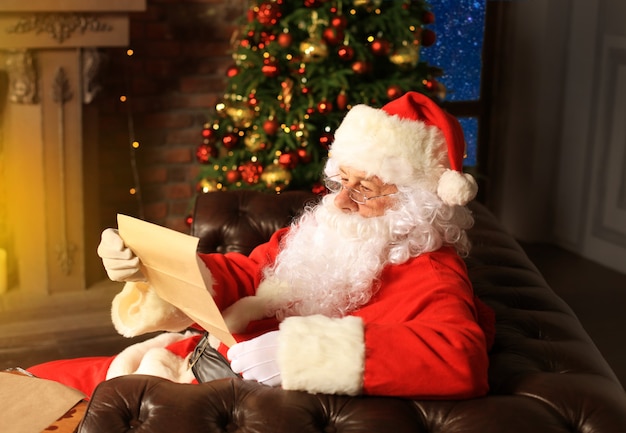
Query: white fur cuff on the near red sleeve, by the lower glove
[319,354]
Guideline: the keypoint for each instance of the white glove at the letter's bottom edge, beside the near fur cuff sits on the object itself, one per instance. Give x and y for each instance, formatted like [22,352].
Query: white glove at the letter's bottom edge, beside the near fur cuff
[256,359]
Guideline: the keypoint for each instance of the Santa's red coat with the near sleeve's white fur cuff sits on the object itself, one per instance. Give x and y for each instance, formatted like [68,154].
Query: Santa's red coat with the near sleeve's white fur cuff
[420,332]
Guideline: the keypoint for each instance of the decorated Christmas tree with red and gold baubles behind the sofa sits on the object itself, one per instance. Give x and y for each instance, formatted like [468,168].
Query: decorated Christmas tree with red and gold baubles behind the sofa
[298,67]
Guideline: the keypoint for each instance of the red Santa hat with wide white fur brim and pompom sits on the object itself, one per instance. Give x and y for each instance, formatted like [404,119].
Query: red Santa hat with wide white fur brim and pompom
[410,142]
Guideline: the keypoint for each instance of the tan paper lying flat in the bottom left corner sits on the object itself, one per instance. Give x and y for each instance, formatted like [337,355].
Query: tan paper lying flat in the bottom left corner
[30,405]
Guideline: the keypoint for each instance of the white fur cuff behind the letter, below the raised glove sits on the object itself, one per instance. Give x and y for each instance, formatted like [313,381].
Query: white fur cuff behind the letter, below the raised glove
[137,310]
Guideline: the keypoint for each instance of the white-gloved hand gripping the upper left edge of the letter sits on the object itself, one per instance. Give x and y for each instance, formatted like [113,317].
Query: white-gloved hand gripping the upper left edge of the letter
[119,261]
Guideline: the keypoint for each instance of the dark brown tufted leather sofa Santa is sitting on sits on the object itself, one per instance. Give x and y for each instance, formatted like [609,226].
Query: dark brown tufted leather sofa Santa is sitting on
[546,375]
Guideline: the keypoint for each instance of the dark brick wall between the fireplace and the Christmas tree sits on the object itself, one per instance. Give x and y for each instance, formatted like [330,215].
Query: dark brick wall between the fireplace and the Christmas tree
[172,81]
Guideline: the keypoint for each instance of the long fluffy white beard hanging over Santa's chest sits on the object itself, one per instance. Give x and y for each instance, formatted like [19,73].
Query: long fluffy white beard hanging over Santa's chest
[329,263]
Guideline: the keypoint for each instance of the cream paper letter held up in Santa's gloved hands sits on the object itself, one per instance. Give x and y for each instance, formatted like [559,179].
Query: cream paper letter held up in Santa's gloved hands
[172,266]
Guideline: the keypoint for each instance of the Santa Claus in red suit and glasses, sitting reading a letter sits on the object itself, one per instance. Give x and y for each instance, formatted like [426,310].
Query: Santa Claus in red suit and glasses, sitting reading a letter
[366,293]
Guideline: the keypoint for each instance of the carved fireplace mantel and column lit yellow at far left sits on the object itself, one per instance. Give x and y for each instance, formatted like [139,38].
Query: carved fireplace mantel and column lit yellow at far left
[49,57]
